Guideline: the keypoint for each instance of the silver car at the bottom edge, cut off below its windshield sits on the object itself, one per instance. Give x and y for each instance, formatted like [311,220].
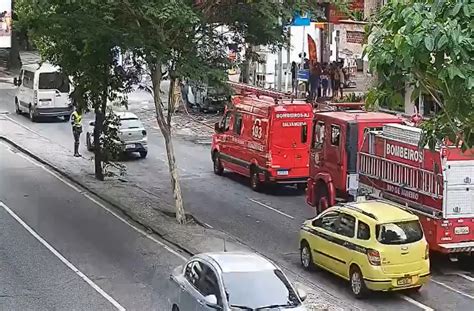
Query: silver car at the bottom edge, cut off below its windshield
[233,281]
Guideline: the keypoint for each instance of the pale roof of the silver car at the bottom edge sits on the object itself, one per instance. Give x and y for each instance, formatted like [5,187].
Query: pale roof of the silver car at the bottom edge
[238,262]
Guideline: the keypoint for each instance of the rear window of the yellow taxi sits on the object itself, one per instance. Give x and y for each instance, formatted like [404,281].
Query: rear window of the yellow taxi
[399,232]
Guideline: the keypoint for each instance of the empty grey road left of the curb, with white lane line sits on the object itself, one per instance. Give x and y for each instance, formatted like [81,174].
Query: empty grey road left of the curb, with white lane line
[60,249]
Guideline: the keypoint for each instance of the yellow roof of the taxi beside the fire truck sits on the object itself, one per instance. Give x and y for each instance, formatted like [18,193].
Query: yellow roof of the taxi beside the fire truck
[379,211]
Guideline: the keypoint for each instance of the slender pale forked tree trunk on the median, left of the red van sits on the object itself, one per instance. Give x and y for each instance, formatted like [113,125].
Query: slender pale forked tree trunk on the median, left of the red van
[165,126]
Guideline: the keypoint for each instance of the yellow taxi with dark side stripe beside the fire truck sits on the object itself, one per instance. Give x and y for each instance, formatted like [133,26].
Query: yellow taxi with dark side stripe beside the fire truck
[375,245]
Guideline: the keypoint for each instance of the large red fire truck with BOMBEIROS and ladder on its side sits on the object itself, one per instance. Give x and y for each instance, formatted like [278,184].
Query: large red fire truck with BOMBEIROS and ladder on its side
[375,154]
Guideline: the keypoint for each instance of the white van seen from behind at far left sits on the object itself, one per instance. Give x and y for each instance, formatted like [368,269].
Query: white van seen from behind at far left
[43,91]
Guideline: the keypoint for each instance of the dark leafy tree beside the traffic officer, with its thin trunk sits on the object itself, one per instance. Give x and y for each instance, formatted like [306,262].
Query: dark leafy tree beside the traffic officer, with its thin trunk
[80,37]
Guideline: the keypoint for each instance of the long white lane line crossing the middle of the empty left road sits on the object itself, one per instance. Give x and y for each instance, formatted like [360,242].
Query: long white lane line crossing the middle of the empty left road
[63,259]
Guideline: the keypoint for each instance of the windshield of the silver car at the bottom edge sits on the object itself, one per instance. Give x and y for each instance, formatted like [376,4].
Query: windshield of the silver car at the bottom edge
[259,289]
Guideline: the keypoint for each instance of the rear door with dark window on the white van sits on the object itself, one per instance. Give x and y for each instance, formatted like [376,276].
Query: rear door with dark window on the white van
[53,90]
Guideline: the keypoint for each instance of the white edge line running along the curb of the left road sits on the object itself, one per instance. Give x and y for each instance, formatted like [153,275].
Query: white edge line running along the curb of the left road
[79,190]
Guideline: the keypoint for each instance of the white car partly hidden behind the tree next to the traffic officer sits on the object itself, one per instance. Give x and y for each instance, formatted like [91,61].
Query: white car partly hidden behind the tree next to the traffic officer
[132,134]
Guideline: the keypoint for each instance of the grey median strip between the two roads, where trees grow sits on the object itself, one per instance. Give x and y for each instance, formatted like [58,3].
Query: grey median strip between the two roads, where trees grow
[152,211]
